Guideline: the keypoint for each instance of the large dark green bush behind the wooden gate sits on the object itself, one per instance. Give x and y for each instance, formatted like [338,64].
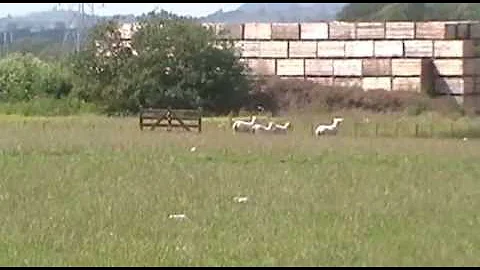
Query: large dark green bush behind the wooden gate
[170,62]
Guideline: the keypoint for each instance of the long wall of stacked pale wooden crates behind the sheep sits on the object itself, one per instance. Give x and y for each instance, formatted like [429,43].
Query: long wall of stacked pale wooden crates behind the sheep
[393,56]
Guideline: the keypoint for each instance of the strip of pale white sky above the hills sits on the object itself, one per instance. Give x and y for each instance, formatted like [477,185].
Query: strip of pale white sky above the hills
[18,9]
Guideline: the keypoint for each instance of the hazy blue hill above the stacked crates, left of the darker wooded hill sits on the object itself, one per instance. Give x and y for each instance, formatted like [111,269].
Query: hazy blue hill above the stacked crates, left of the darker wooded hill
[277,12]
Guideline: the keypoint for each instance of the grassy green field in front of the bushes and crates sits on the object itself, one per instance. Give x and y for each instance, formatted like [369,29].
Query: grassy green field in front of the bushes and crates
[95,191]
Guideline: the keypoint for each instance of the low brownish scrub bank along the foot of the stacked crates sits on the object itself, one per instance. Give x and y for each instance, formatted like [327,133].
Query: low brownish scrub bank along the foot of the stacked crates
[281,95]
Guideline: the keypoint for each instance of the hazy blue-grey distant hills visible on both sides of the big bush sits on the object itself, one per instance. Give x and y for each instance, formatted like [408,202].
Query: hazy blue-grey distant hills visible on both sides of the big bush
[52,33]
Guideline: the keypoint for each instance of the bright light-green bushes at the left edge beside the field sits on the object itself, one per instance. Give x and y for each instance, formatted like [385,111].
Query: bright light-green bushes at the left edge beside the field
[29,86]
